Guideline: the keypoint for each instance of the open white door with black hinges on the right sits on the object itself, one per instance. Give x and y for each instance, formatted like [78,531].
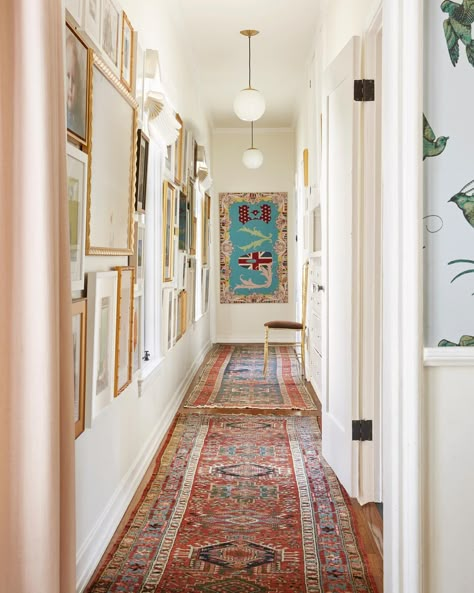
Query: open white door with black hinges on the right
[340,200]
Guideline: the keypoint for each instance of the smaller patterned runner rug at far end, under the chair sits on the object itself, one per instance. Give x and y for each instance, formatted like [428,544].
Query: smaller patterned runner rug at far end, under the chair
[233,378]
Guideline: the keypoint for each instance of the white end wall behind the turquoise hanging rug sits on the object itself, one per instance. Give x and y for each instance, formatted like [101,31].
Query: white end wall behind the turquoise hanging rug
[244,322]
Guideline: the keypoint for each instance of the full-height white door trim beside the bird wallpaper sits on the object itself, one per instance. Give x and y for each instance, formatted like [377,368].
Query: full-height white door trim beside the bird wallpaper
[402,294]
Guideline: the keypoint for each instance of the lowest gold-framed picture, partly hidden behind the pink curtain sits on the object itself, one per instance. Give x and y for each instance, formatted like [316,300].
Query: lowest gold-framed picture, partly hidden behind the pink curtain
[79,316]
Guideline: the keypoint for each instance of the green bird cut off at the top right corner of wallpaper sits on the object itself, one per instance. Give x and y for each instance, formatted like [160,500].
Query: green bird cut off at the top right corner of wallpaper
[458,28]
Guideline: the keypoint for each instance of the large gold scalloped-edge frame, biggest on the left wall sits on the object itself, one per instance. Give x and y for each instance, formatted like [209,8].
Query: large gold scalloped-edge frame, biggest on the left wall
[112,162]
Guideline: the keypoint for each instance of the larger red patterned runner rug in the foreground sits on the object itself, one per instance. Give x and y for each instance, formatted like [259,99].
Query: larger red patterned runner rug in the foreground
[239,504]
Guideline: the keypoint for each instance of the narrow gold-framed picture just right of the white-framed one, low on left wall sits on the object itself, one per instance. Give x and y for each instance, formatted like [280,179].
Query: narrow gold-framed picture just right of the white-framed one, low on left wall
[124,331]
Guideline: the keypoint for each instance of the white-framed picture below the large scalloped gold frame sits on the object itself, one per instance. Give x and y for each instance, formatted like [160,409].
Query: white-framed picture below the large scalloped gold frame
[101,326]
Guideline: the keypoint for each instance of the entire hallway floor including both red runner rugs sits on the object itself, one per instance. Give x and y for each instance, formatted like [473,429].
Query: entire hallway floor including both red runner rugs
[239,498]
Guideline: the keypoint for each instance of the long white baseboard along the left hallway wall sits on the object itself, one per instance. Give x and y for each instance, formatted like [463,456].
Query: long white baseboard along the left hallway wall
[92,550]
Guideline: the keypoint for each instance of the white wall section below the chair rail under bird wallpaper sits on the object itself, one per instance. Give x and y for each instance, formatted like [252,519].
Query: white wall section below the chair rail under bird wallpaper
[448,479]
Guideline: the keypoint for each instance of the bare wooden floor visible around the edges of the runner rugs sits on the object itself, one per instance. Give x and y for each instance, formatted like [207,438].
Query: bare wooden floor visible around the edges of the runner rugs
[368,519]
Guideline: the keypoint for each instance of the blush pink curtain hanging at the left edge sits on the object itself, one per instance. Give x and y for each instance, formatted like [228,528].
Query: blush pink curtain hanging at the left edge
[37,525]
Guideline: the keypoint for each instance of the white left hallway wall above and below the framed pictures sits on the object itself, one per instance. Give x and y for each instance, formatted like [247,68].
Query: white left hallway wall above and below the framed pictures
[112,455]
